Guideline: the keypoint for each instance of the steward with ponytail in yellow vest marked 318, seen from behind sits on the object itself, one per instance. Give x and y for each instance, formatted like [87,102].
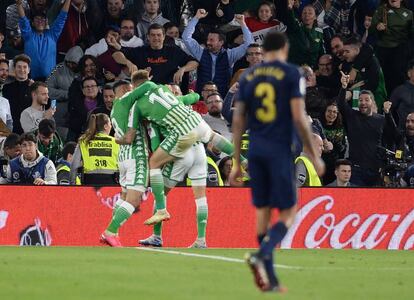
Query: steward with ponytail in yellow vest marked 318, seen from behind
[97,153]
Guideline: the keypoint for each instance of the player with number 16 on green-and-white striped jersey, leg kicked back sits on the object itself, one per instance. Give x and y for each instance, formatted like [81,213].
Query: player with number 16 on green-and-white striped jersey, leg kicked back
[185,127]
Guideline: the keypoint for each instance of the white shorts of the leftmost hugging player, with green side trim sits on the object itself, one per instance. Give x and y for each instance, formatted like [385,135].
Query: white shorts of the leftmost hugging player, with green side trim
[133,174]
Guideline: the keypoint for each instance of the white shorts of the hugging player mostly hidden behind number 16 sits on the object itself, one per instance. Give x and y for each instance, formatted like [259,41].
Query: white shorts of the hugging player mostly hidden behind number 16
[194,163]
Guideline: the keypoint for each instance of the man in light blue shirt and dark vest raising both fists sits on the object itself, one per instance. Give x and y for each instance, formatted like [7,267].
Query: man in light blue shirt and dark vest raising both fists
[216,62]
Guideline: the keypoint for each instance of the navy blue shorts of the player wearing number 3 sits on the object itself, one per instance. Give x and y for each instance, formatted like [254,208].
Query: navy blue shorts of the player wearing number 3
[272,179]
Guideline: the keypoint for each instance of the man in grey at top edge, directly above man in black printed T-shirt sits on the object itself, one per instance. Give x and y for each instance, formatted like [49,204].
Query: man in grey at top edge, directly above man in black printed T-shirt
[151,15]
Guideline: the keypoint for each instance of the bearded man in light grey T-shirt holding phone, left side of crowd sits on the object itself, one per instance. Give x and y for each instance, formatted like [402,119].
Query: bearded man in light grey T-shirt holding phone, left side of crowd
[31,116]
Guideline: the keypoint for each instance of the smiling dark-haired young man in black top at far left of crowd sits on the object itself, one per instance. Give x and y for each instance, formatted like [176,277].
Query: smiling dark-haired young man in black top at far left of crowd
[18,91]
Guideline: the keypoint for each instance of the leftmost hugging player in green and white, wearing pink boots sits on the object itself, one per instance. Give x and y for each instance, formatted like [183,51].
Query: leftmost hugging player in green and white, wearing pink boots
[132,160]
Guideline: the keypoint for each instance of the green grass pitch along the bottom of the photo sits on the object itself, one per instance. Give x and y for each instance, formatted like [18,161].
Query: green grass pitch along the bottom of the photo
[128,273]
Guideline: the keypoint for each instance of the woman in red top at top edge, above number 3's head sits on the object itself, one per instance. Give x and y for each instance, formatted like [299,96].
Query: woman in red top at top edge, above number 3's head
[264,21]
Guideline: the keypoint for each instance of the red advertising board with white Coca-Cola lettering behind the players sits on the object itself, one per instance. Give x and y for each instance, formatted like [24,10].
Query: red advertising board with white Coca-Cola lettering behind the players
[327,218]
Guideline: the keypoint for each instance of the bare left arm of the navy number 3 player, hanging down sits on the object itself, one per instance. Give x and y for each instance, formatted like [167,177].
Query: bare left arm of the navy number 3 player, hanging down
[238,128]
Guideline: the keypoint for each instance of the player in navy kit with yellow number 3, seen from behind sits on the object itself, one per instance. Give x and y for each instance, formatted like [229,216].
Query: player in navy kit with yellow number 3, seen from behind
[270,102]
